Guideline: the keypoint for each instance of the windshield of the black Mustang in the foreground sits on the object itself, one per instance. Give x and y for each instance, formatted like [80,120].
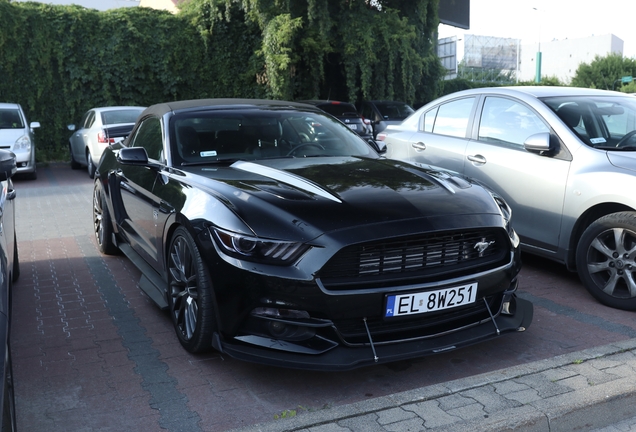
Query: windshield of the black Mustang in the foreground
[210,136]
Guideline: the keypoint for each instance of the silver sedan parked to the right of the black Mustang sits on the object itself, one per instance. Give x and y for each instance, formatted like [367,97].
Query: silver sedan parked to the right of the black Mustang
[563,158]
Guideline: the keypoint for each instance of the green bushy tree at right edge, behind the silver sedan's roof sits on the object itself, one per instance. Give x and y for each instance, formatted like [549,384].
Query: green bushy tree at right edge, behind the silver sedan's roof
[604,72]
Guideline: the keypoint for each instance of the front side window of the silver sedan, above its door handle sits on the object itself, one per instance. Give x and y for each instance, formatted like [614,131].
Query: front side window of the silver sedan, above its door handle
[509,122]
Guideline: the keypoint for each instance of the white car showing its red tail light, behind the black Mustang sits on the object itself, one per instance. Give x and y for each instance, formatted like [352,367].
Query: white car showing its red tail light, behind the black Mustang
[91,136]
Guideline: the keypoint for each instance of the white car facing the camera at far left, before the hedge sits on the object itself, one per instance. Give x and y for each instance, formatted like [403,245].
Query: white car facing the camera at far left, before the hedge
[17,135]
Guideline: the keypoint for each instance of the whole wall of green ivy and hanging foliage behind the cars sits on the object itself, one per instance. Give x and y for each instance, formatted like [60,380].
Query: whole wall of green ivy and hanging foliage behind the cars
[59,61]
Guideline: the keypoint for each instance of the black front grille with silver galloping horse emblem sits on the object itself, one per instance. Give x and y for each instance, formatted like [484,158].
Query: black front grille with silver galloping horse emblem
[425,258]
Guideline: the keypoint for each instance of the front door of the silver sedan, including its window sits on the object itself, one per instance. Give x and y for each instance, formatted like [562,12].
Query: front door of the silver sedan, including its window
[532,183]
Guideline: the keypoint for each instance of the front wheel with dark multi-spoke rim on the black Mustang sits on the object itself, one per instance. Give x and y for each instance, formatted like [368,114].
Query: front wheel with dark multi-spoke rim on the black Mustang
[190,297]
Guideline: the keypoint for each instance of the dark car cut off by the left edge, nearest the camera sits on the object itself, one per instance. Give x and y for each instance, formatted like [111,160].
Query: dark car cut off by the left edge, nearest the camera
[9,273]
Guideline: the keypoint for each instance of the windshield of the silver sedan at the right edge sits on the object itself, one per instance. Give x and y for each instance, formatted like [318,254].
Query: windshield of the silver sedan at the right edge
[607,123]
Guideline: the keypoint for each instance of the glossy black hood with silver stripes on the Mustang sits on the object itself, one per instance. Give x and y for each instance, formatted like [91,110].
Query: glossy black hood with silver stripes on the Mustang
[319,195]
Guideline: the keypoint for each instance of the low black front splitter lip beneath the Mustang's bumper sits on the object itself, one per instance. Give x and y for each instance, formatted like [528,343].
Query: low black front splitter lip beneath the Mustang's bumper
[344,357]
